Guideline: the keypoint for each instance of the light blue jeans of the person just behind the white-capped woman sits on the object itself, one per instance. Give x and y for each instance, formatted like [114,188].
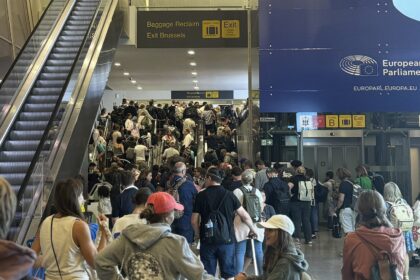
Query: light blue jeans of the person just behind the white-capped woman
[243,249]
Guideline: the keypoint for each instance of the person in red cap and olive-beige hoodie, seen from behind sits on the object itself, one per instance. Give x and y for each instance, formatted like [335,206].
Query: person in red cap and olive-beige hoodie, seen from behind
[151,251]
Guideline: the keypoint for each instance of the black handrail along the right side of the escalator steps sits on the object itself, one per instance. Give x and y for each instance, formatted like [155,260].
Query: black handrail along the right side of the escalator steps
[44,138]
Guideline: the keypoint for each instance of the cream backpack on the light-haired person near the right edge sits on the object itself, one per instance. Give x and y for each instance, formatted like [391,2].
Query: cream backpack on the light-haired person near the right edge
[401,215]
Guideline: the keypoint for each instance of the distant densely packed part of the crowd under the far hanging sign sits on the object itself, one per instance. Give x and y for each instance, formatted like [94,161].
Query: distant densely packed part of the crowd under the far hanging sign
[136,128]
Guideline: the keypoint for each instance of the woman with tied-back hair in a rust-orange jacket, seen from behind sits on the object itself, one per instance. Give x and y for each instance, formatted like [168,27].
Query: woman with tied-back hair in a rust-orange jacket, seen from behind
[374,235]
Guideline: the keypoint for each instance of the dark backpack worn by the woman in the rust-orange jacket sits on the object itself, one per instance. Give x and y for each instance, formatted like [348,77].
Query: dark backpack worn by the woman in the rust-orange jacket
[383,268]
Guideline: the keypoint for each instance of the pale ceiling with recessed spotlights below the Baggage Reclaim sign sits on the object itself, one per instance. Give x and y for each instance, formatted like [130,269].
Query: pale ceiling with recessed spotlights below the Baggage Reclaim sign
[169,69]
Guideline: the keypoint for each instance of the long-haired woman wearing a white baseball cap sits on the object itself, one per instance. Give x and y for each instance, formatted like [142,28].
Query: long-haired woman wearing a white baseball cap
[282,260]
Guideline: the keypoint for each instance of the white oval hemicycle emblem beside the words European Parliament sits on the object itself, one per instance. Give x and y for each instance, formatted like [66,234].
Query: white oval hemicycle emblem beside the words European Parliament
[359,65]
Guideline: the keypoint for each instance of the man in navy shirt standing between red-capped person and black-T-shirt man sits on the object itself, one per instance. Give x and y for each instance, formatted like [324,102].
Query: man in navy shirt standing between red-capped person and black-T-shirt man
[187,193]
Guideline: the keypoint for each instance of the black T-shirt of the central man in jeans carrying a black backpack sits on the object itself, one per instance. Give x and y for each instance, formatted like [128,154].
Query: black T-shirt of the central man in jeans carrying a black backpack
[209,200]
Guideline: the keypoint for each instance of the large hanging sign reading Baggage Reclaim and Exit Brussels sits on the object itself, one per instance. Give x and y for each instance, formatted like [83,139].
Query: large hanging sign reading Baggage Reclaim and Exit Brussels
[198,29]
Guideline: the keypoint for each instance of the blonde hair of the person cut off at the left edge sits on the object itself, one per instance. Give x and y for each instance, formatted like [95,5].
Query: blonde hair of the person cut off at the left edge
[7,207]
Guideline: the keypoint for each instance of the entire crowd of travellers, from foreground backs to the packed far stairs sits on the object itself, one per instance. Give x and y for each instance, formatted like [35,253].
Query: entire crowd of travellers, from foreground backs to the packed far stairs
[214,221]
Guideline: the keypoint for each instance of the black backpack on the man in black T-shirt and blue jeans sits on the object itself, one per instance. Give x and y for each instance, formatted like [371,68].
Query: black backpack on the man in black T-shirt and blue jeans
[216,230]
